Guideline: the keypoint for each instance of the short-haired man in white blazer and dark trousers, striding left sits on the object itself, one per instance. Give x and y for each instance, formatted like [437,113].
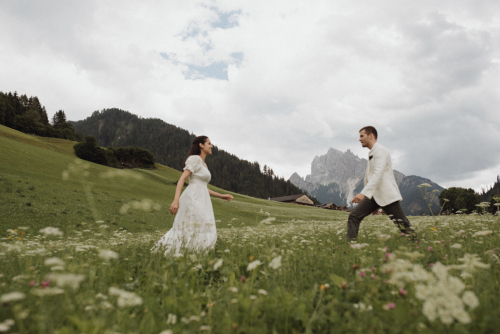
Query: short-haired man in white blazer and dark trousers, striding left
[381,189]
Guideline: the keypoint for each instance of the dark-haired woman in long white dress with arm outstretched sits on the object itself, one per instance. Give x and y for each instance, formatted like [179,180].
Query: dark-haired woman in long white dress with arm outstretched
[194,225]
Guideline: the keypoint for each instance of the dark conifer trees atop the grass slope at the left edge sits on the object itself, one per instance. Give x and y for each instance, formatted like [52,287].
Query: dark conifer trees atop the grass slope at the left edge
[29,116]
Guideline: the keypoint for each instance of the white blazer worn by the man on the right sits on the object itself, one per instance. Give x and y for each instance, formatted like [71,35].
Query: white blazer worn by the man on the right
[379,177]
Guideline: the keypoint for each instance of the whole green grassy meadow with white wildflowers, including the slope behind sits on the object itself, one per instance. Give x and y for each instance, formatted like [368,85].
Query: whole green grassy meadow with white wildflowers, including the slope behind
[75,242]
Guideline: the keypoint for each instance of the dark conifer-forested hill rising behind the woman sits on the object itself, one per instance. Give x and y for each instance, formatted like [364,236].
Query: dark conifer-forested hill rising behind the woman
[170,145]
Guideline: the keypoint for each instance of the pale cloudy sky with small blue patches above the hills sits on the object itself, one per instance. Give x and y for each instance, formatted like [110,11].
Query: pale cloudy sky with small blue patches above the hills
[277,82]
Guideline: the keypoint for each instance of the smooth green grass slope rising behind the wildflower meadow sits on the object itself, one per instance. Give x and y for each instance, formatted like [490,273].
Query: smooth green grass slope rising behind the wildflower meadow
[33,192]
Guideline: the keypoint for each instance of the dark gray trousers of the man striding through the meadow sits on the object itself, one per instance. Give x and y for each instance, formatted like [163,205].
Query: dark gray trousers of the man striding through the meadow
[367,206]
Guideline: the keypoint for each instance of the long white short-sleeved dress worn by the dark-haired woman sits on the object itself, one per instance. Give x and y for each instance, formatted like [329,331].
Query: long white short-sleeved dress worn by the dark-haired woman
[194,225]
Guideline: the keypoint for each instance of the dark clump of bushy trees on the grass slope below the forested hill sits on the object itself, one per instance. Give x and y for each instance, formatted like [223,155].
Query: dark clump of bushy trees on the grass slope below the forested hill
[114,157]
